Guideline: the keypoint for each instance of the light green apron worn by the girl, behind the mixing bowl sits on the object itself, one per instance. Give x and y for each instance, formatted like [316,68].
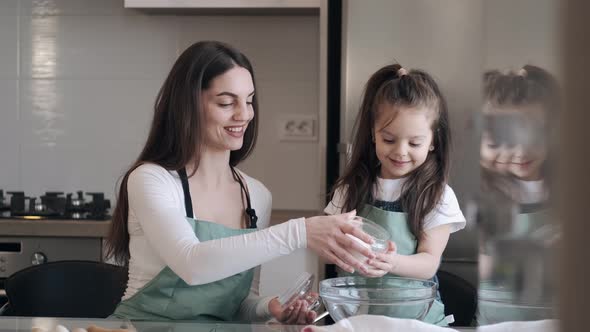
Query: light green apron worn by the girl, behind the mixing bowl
[397,225]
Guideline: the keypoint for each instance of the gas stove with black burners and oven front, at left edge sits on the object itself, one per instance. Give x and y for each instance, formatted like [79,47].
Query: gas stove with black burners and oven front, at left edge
[19,250]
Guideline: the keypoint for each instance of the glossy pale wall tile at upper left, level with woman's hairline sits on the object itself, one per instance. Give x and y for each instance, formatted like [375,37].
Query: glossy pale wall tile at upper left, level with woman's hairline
[99,47]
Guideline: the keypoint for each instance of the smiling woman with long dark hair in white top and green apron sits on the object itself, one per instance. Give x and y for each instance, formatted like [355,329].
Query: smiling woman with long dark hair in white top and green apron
[186,219]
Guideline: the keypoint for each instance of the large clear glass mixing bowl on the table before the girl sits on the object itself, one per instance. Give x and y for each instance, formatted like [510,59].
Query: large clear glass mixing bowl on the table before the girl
[389,296]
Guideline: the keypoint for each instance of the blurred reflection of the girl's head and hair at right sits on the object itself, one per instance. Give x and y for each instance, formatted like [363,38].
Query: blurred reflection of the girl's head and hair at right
[514,148]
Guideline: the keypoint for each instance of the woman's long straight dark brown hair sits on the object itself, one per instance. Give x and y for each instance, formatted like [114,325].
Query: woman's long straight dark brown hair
[176,133]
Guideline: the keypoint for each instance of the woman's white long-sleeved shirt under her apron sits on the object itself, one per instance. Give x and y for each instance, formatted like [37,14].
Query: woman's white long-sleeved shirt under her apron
[160,236]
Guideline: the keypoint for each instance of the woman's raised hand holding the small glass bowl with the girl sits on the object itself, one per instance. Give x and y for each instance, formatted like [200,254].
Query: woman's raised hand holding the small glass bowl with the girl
[326,235]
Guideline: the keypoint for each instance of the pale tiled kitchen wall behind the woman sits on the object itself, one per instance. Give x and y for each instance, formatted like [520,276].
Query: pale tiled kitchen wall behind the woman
[78,80]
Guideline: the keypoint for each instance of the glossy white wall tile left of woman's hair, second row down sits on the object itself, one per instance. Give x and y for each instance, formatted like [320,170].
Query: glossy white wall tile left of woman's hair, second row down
[107,112]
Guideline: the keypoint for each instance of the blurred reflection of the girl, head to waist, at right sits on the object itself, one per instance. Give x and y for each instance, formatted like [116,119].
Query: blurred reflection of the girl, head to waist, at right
[514,154]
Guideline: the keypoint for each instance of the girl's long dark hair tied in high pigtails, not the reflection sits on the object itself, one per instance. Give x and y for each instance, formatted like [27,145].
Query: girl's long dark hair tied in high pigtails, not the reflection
[425,186]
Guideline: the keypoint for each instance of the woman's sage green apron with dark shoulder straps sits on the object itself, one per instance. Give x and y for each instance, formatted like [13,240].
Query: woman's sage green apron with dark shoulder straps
[168,297]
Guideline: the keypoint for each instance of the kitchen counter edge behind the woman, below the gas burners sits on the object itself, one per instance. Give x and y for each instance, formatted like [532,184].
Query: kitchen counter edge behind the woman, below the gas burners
[99,229]
